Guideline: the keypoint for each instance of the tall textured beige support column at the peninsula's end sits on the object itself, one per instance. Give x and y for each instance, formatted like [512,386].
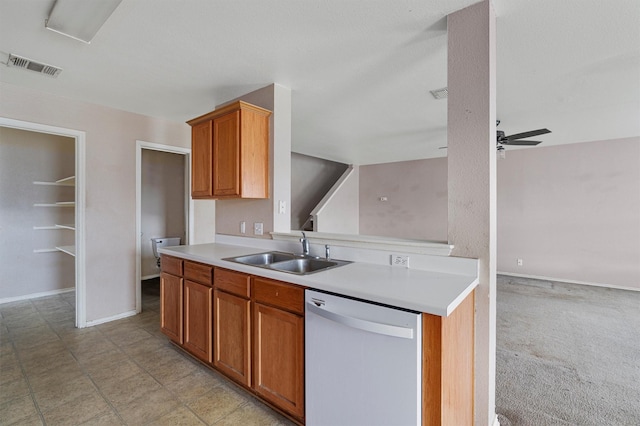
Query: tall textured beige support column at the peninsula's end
[471,144]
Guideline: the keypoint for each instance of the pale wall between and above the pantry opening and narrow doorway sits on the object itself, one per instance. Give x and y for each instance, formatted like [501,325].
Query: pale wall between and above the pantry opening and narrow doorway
[110,186]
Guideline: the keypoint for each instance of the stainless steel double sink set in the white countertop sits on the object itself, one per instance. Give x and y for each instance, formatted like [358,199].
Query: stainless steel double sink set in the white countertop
[288,262]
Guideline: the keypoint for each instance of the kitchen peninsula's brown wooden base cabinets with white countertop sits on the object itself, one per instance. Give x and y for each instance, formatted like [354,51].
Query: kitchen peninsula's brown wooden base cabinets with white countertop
[248,322]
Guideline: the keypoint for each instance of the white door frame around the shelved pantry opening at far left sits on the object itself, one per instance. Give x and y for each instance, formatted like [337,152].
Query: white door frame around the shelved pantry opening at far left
[80,161]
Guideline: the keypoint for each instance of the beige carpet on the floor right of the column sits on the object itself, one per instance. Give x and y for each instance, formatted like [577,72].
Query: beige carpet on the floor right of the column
[567,354]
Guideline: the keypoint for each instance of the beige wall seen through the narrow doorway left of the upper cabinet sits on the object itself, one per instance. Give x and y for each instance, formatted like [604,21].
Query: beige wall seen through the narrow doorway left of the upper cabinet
[162,204]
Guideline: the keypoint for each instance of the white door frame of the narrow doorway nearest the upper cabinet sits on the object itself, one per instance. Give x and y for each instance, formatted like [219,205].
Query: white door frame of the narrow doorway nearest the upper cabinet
[188,205]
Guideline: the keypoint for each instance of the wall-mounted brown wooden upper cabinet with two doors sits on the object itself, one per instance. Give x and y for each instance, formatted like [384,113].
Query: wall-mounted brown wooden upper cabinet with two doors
[230,153]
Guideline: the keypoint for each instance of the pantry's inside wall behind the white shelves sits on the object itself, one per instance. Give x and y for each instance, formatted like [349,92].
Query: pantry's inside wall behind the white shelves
[26,157]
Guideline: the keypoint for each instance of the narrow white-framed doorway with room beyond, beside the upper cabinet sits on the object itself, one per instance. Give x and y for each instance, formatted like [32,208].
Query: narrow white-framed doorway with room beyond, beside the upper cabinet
[163,205]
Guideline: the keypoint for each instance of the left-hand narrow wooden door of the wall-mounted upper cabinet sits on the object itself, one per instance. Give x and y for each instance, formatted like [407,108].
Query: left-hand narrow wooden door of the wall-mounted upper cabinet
[201,160]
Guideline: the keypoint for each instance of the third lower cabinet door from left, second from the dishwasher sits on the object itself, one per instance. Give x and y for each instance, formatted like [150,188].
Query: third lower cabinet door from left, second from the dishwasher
[232,336]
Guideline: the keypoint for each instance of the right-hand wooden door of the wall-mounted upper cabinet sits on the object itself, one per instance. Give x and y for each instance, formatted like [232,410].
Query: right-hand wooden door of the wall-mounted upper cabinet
[226,155]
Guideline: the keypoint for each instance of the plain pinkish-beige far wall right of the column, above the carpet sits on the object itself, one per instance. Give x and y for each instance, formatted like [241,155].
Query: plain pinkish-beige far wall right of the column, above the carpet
[572,212]
